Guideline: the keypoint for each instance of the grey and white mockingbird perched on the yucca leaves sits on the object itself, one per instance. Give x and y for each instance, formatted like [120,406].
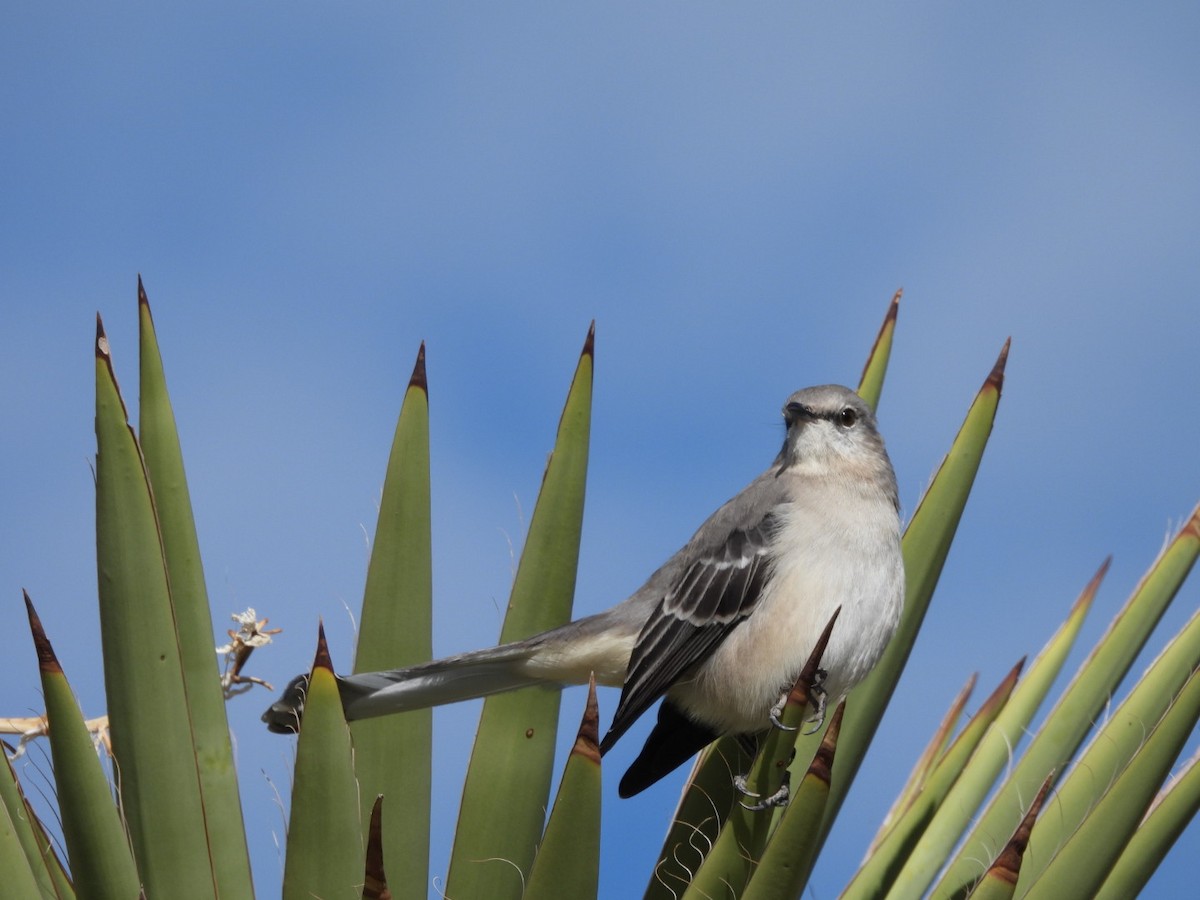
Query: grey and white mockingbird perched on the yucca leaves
[722,631]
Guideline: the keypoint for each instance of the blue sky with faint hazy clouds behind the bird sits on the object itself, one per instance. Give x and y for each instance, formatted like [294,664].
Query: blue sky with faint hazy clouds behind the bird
[733,194]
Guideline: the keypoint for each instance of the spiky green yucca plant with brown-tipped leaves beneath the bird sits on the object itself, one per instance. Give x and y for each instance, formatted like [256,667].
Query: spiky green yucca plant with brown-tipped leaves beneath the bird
[1059,825]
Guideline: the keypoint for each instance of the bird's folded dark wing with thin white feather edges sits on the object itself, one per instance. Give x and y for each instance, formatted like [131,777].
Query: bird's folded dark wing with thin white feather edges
[707,601]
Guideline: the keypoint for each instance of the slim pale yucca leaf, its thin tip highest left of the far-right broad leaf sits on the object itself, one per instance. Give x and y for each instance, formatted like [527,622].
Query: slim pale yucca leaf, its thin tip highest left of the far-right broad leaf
[952,818]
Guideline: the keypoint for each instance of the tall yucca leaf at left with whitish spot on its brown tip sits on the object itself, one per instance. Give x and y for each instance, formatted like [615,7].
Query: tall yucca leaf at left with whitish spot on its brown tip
[148,712]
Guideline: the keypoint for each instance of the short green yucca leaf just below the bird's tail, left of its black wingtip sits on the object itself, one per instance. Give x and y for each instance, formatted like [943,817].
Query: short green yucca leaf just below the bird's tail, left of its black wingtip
[568,862]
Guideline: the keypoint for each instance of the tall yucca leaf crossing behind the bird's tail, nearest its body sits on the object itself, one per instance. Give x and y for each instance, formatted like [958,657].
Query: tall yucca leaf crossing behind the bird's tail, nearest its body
[508,784]
